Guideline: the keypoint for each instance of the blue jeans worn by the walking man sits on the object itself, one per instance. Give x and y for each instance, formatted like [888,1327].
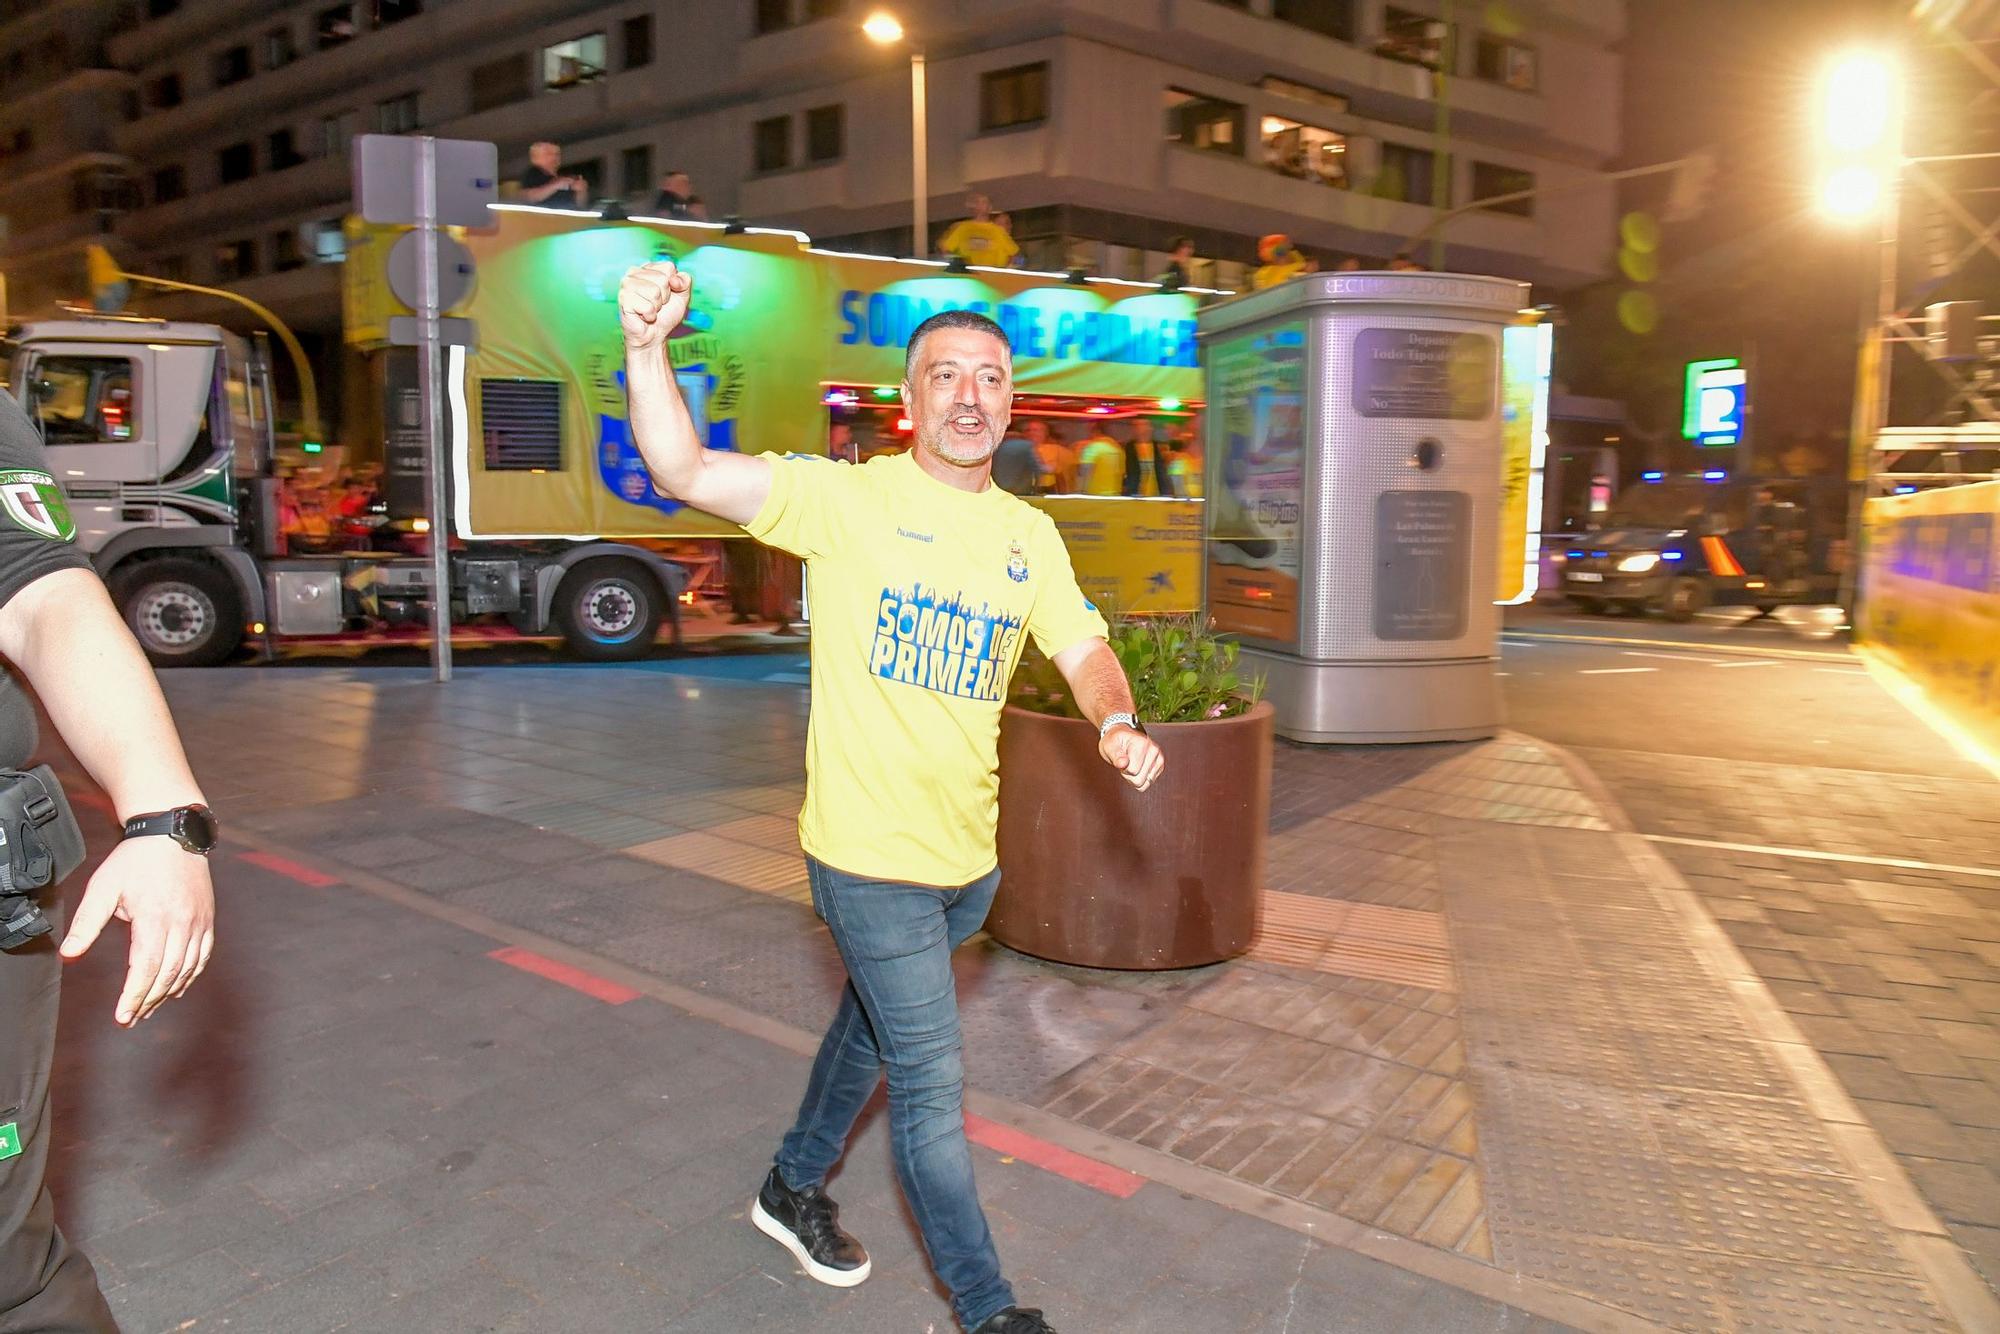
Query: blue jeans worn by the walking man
[901,1011]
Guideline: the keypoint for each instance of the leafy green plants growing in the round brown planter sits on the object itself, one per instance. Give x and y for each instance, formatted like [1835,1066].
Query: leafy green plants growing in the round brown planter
[1181,673]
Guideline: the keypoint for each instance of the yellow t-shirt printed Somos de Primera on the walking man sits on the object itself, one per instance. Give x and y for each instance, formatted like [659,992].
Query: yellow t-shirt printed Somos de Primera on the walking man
[919,601]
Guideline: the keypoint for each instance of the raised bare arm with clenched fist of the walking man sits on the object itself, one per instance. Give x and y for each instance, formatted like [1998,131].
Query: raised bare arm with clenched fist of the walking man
[653,301]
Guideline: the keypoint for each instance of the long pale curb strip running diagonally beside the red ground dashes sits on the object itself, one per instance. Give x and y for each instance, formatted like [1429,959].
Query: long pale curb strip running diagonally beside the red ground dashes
[1467,1275]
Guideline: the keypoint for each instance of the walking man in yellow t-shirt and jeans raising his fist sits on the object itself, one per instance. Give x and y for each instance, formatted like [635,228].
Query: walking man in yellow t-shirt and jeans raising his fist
[925,579]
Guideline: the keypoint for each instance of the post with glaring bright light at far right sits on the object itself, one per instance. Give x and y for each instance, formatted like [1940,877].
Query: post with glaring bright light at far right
[1859,133]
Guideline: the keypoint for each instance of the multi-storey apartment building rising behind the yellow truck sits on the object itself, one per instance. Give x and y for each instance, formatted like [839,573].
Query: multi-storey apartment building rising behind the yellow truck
[1103,127]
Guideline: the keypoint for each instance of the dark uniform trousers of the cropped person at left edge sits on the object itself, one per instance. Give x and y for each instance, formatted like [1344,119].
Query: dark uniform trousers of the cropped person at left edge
[47,1287]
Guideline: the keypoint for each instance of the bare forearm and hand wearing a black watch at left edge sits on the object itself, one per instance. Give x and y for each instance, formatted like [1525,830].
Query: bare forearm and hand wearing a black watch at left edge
[67,639]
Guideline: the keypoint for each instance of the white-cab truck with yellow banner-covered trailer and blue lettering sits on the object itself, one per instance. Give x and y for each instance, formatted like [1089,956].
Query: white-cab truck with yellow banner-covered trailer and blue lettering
[161,431]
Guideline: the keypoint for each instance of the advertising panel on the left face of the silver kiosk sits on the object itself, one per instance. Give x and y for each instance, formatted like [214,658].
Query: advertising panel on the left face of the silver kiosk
[1257,481]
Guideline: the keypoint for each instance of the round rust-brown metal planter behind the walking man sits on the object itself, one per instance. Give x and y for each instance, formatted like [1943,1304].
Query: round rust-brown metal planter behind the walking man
[1099,875]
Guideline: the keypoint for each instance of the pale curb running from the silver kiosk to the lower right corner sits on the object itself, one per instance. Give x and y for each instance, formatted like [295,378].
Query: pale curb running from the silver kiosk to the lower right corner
[1921,1235]
